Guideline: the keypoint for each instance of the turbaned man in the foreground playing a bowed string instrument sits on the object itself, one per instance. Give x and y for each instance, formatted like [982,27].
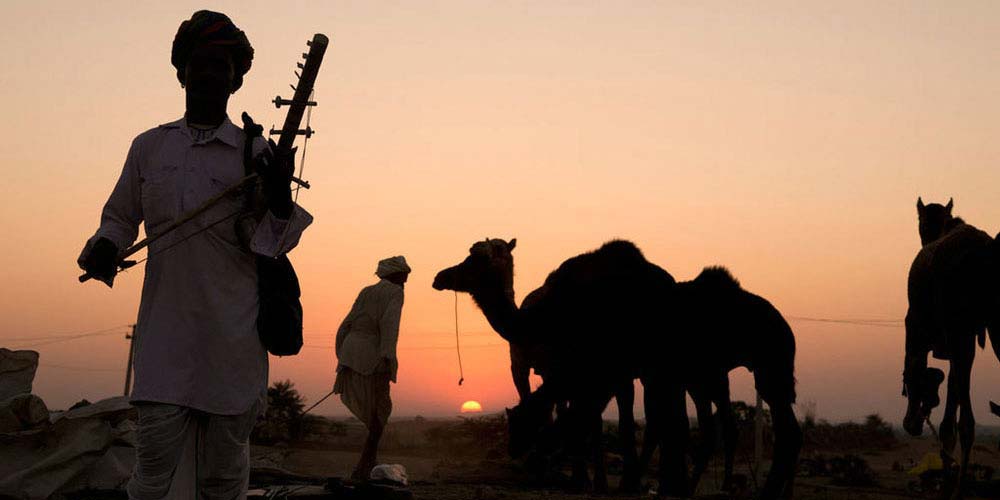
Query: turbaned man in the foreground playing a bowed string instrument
[200,369]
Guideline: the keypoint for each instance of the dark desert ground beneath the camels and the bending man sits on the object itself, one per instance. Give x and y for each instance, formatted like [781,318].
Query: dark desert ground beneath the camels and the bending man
[465,458]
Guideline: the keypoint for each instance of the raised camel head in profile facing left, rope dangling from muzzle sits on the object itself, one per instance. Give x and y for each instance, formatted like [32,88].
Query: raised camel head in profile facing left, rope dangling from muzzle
[488,267]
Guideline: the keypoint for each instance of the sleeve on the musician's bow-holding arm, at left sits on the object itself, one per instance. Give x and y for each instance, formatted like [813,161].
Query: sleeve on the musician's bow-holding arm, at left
[122,213]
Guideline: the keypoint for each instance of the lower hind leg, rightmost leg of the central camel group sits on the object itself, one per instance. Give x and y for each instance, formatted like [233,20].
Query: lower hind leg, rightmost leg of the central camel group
[787,443]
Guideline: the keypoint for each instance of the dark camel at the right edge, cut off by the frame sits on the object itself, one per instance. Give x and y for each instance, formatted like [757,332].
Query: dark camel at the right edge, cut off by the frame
[954,300]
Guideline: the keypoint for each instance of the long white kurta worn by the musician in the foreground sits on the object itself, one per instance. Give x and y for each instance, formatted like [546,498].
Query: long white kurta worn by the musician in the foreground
[197,343]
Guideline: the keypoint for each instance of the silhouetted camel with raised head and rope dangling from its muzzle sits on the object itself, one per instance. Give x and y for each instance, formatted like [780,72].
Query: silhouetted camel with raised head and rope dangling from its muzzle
[570,318]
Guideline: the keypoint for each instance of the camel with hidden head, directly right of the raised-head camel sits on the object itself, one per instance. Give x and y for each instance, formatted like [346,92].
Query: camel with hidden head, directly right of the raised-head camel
[735,328]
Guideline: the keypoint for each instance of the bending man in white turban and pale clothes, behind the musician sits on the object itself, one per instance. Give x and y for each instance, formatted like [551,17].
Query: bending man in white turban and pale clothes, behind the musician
[366,352]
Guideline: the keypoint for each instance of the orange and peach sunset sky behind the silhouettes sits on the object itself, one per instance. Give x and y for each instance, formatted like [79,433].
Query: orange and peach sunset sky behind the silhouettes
[786,140]
